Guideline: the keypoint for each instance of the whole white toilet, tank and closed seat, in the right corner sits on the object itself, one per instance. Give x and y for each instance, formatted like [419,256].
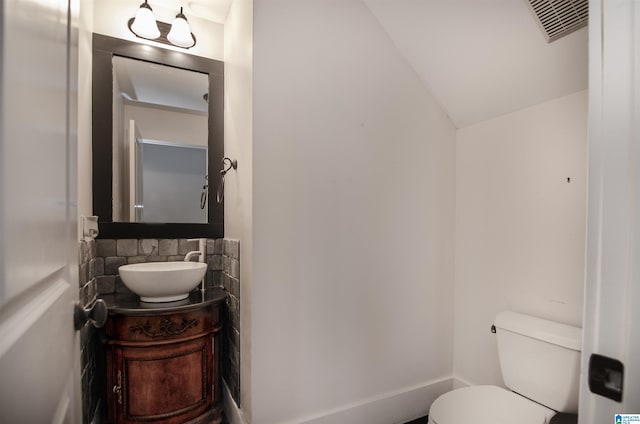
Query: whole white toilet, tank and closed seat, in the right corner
[540,362]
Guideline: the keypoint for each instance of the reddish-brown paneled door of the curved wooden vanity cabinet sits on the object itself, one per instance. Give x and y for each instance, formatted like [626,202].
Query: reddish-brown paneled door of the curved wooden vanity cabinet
[168,383]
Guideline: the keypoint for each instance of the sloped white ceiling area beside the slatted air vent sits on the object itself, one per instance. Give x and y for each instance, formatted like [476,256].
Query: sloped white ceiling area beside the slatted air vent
[483,58]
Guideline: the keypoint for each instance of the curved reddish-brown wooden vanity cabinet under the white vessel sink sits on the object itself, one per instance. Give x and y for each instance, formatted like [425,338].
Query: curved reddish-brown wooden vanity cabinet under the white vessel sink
[163,366]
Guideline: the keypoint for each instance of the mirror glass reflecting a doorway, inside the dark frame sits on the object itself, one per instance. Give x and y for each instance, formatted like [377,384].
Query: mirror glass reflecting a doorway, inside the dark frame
[160,143]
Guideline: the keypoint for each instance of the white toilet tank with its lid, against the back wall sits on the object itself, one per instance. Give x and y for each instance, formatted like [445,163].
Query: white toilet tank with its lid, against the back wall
[540,359]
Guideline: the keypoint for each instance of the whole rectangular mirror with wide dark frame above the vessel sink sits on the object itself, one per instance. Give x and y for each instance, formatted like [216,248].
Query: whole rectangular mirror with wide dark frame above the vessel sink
[116,190]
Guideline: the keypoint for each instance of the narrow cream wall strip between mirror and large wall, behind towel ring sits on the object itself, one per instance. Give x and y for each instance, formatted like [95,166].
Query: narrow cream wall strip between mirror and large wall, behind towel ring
[238,58]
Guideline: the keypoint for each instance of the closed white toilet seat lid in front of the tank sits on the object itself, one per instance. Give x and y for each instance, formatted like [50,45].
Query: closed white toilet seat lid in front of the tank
[487,405]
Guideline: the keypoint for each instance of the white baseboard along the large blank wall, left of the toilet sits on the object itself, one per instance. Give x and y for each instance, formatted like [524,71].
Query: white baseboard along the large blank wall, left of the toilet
[395,407]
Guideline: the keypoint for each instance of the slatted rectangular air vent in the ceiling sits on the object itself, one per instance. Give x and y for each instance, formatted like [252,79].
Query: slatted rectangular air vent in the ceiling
[558,18]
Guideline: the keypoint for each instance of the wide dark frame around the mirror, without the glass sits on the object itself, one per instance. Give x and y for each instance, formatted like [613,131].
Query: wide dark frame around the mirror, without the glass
[104,48]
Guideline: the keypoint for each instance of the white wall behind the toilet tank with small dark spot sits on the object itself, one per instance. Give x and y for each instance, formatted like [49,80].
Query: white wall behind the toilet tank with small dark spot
[520,226]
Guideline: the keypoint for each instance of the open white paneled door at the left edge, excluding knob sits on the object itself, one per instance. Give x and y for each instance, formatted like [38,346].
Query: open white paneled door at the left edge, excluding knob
[39,352]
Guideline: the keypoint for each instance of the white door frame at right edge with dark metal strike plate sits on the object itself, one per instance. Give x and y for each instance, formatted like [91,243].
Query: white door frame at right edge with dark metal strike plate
[612,296]
